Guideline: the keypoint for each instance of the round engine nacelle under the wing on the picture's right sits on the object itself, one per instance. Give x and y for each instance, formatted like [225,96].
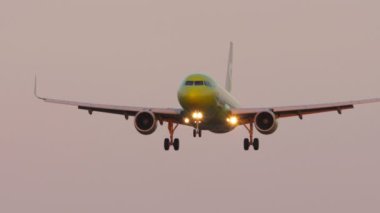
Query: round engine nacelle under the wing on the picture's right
[266,122]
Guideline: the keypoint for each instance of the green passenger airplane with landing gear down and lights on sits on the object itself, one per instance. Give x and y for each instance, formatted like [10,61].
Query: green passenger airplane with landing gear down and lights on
[208,106]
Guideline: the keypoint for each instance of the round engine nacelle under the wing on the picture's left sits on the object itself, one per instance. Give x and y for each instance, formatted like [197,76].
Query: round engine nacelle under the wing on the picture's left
[145,122]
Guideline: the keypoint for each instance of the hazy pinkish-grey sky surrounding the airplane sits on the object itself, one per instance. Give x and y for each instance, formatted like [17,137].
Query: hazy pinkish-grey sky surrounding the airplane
[58,159]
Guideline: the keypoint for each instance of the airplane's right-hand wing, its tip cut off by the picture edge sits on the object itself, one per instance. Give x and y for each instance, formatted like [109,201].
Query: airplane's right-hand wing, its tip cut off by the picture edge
[289,111]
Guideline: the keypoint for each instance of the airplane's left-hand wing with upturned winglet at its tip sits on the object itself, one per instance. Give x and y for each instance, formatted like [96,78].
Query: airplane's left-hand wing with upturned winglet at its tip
[163,114]
